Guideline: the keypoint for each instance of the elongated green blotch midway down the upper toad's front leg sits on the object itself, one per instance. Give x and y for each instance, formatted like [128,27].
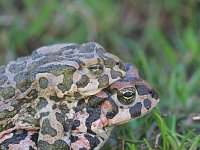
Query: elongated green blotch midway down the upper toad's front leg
[47,129]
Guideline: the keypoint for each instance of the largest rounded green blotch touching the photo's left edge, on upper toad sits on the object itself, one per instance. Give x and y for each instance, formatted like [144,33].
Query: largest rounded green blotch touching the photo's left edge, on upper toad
[7,92]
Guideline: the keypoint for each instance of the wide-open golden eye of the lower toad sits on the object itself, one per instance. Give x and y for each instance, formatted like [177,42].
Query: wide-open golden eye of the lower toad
[126,96]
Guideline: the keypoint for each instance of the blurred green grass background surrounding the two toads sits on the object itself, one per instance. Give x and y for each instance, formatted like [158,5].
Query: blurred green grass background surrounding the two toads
[161,37]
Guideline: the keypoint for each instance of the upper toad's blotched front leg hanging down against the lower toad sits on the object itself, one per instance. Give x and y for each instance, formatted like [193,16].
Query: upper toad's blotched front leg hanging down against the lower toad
[55,124]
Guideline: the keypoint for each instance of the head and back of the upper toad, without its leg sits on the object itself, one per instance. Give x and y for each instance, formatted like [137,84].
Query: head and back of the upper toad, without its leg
[63,70]
